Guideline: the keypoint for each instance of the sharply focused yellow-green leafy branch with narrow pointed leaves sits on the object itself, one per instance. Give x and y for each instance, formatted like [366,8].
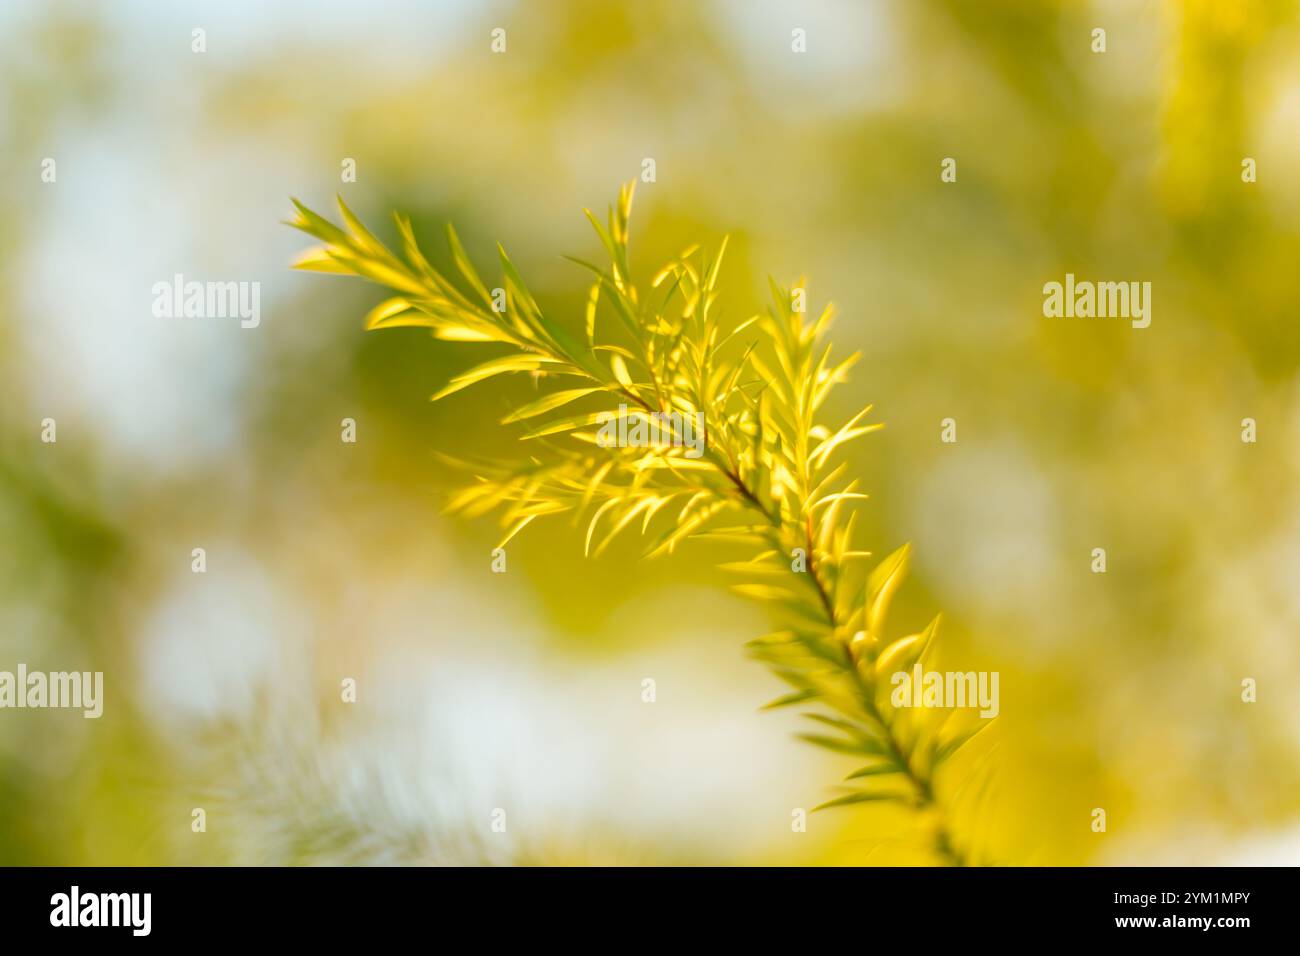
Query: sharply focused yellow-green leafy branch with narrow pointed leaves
[766,479]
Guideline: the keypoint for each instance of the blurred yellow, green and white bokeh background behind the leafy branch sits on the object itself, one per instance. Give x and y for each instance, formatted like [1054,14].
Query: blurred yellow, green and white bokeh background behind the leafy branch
[523,691]
